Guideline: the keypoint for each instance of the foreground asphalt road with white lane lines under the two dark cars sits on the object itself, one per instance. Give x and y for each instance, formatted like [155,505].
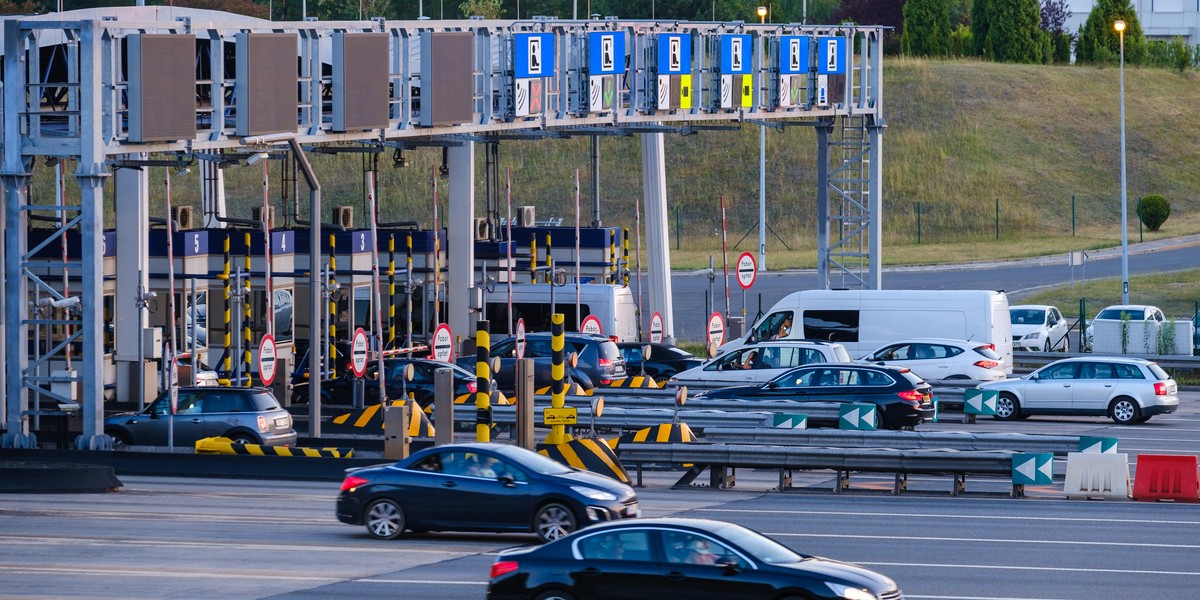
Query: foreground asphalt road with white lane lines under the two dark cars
[209,538]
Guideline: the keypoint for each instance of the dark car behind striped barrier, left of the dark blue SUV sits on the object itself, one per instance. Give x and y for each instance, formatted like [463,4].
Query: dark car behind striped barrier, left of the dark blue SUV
[341,389]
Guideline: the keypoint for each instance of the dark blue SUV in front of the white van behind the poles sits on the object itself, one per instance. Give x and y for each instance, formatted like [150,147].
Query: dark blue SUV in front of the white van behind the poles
[599,361]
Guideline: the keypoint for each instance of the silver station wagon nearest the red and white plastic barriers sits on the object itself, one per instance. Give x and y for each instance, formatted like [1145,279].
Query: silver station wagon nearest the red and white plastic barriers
[1127,391]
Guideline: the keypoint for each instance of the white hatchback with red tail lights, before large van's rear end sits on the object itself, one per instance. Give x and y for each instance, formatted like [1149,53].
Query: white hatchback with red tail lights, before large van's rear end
[934,358]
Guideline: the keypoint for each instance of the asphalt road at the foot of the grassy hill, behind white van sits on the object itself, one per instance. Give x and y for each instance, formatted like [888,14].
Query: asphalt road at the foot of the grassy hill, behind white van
[691,291]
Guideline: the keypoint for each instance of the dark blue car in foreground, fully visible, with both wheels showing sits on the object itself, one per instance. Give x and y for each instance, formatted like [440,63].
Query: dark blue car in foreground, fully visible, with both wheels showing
[481,488]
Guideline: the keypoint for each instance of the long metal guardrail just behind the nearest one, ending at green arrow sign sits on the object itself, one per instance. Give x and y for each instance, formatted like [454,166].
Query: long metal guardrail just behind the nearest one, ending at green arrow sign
[1060,446]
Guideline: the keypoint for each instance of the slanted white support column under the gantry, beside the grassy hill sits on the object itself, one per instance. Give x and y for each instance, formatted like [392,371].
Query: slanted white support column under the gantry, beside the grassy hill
[655,189]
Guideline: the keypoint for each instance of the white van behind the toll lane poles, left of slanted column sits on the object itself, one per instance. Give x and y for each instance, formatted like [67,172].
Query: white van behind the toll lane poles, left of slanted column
[613,305]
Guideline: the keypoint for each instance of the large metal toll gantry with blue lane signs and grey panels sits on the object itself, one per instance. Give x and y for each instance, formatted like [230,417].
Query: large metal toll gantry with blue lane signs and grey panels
[122,92]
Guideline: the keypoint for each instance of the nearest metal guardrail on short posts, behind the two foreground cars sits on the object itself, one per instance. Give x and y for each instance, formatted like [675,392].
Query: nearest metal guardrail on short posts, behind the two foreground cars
[723,460]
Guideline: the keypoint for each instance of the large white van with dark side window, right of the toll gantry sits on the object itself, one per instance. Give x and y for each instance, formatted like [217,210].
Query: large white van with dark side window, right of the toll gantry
[866,320]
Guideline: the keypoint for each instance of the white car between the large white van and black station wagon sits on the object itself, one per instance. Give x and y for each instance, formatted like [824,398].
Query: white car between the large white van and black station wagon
[760,363]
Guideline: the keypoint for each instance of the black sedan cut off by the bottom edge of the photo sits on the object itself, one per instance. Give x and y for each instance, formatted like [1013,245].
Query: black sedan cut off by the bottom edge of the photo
[689,559]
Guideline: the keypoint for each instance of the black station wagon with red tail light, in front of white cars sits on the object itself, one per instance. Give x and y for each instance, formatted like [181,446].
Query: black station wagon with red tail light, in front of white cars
[904,400]
